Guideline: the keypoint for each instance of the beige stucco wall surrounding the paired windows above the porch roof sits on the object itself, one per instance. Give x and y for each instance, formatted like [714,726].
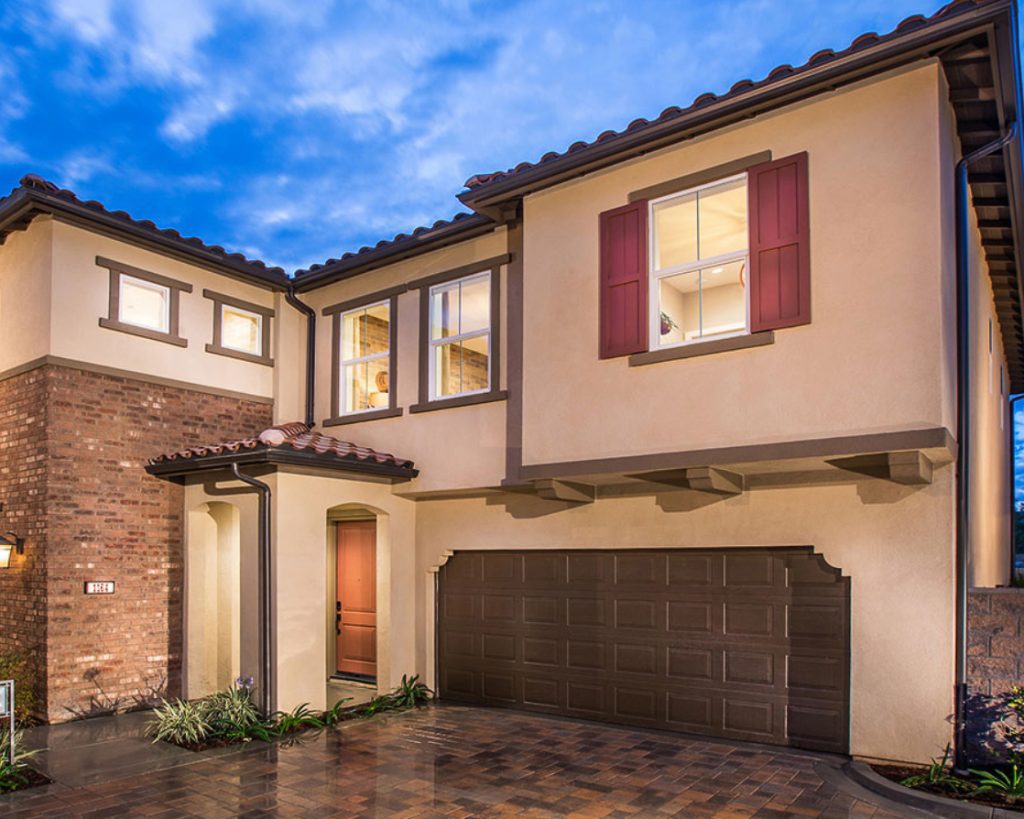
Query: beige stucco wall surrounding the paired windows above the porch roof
[455,449]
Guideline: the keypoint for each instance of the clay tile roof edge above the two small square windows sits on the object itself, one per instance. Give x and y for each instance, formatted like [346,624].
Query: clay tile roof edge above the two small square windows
[44,190]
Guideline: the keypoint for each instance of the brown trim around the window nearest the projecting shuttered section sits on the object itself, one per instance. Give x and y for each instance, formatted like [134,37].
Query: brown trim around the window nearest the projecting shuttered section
[494,267]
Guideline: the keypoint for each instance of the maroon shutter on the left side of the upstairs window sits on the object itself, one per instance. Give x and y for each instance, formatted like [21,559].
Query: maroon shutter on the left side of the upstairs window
[624,280]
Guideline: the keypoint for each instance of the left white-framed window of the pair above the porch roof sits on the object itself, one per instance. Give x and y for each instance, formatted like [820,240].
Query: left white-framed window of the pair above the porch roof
[365,359]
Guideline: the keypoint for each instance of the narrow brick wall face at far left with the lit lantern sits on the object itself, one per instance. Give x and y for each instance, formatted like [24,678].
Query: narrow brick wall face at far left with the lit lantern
[23,491]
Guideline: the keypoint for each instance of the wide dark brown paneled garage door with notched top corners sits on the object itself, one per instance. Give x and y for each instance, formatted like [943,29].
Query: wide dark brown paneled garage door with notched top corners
[751,644]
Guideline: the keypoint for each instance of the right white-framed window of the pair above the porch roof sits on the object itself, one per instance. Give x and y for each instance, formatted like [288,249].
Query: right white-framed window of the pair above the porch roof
[459,359]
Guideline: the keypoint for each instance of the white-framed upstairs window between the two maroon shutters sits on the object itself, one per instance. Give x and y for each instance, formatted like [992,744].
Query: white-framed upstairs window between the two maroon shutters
[699,265]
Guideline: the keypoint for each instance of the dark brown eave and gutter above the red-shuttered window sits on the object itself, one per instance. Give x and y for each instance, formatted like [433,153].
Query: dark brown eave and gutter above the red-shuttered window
[494,198]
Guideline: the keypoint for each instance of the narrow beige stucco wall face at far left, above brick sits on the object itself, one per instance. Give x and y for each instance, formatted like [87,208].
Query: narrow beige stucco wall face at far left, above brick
[26,261]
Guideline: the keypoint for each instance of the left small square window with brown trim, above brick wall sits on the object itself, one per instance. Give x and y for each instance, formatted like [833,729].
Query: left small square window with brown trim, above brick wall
[143,304]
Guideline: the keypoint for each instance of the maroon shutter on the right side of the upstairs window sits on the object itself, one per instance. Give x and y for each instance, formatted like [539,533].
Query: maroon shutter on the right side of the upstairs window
[781,254]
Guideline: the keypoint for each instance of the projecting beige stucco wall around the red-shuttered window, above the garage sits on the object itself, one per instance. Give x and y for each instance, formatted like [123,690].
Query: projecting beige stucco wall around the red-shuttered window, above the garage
[871,361]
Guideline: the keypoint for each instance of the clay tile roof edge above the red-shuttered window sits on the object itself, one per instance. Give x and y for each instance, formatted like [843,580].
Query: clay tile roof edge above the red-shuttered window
[742,88]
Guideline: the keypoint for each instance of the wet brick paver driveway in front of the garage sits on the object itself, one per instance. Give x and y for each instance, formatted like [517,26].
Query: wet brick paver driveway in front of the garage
[451,761]
